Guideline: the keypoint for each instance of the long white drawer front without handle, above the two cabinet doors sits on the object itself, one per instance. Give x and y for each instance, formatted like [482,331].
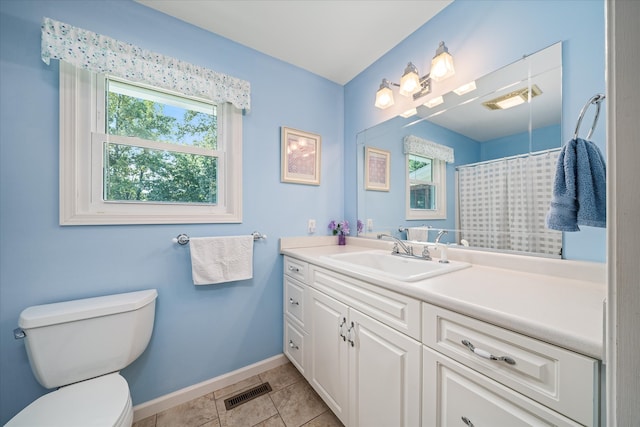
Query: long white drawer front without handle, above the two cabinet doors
[398,311]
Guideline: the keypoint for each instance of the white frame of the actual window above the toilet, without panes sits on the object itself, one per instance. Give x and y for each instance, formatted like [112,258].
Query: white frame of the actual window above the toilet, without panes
[81,189]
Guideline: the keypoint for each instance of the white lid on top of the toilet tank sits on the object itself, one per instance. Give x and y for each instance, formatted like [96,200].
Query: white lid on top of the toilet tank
[69,311]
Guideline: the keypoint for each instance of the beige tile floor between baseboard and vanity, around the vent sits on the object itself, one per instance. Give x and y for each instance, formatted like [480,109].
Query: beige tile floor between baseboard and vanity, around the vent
[291,403]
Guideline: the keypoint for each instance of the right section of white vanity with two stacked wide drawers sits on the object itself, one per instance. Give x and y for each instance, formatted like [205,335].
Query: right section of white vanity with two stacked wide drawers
[478,374]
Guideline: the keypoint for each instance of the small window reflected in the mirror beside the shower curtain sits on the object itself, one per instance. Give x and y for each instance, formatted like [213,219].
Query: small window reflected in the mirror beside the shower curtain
[426,187]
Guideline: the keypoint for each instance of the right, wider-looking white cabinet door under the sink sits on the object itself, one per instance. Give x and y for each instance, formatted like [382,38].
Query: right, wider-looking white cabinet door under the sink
[384,379]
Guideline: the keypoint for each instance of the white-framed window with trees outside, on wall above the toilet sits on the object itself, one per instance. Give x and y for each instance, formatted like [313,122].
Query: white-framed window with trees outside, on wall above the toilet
[135,154]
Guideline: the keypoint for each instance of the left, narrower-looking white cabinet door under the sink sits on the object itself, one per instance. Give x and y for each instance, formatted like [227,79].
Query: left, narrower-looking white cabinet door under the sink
[329,352]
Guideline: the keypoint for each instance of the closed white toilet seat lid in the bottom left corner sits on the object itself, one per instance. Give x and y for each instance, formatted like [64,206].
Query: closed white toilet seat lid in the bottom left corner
[101,402]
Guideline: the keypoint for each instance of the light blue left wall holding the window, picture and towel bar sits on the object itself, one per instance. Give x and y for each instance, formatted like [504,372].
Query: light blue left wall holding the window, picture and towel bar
[200,332]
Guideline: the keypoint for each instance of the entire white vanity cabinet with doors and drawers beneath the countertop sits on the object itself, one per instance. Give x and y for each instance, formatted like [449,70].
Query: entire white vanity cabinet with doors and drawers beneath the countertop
[378,357]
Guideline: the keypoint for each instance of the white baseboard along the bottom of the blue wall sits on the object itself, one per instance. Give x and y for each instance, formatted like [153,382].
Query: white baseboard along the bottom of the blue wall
[186,394]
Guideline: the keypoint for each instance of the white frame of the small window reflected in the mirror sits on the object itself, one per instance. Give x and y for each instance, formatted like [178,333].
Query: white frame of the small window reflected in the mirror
[439,169]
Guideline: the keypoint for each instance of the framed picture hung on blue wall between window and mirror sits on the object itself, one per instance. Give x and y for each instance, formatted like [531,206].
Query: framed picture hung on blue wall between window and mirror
[301,153]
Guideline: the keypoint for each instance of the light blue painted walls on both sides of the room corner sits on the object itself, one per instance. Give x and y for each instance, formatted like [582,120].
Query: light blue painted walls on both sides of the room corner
[203,332]
